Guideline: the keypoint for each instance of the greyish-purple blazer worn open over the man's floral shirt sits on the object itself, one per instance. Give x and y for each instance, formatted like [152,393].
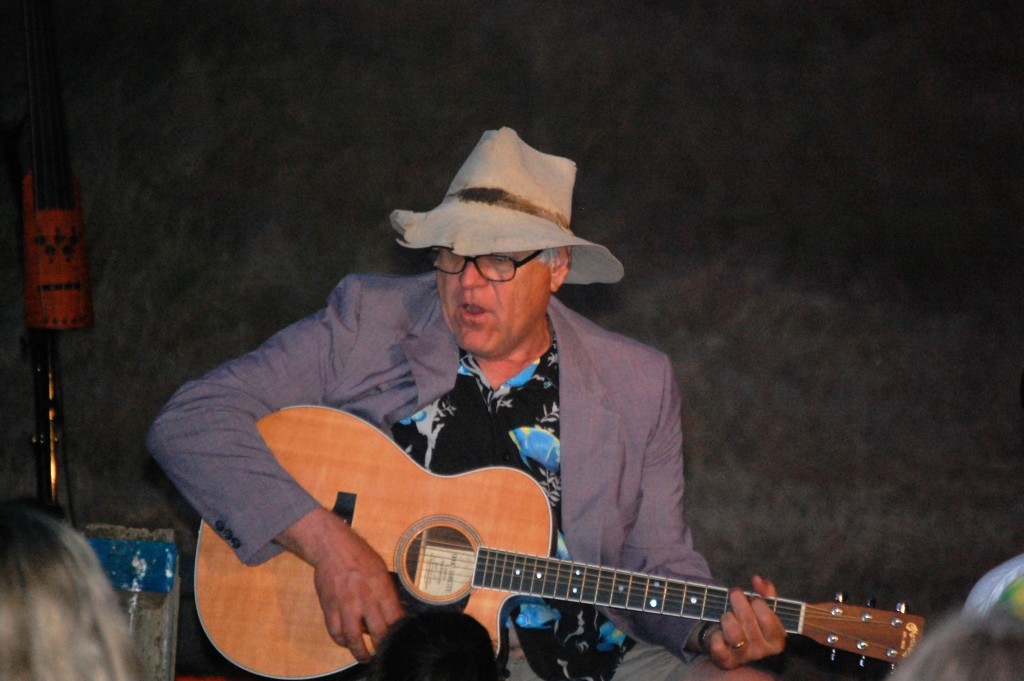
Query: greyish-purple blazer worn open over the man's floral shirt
[381,351]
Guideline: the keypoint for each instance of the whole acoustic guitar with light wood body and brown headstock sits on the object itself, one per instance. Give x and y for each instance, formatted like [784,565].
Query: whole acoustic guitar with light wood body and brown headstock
[451,542]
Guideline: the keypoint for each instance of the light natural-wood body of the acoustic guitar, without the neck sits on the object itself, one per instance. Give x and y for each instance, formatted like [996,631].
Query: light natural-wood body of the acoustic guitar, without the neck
[268,619]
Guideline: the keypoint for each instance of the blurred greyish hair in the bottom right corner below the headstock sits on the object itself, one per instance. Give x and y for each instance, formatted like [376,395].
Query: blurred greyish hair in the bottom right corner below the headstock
[969,648]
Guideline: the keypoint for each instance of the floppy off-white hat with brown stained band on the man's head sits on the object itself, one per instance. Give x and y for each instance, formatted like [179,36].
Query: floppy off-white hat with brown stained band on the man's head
[508,197]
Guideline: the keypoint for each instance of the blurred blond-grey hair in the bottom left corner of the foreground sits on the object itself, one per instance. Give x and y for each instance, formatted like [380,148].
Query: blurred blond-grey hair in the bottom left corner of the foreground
[60,620]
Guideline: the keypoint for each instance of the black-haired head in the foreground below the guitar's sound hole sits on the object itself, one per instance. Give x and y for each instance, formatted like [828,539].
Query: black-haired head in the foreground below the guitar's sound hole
[437,646]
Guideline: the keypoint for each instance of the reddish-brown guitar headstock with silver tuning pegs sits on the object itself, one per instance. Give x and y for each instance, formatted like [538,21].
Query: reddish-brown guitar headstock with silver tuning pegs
[887,635]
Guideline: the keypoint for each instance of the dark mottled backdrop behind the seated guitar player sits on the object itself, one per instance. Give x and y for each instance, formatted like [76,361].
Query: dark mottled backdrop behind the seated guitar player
[819,206]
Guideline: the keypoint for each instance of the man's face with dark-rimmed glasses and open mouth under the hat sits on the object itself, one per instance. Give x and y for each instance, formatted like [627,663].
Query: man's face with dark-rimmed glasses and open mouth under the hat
[503,321]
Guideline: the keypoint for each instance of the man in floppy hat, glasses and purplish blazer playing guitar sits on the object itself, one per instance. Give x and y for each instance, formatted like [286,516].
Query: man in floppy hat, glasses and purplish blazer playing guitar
[476,366]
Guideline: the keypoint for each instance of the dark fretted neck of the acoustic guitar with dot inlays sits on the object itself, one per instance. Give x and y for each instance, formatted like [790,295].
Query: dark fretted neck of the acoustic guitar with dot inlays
[564,580]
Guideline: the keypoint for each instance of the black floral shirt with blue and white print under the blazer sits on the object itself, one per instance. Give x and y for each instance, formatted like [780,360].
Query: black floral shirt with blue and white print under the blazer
[517,425]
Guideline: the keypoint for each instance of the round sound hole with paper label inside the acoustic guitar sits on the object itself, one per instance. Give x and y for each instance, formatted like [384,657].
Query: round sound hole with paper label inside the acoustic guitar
[437,562]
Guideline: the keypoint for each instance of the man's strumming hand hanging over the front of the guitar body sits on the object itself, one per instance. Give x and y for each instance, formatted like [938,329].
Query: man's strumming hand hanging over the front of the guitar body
[355,588]
